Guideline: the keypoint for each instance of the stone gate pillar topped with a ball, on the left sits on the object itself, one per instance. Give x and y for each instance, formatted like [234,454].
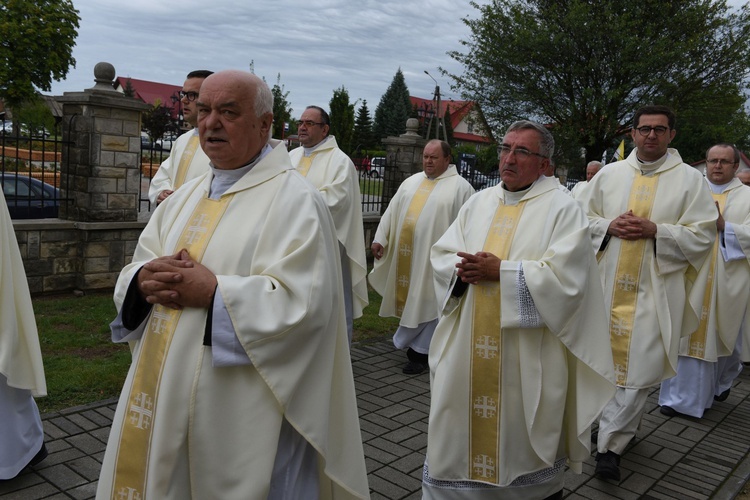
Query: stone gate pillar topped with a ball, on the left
[101,176]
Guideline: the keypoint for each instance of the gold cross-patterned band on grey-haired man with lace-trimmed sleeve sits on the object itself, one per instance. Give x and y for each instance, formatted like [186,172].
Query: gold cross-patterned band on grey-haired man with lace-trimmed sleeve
[486,354]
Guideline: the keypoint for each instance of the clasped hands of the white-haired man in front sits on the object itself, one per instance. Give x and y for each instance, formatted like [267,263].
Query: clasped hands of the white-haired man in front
[177,281]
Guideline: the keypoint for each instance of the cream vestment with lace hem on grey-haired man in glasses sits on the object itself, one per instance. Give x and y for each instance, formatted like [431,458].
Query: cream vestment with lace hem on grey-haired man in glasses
[552,362]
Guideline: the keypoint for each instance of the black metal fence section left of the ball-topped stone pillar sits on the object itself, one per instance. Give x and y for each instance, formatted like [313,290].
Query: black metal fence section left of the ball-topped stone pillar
[30,171]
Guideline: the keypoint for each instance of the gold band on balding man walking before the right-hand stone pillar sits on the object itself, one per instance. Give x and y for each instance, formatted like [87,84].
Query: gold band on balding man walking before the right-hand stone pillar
[406,241]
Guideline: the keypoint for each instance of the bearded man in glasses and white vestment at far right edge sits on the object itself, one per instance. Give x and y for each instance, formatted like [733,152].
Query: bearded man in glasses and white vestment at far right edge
[709,359]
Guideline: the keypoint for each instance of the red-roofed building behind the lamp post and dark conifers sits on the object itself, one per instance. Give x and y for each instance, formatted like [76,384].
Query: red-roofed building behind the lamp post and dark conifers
[467,120]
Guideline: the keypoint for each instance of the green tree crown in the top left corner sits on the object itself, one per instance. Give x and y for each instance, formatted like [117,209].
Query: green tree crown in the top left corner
[36,46]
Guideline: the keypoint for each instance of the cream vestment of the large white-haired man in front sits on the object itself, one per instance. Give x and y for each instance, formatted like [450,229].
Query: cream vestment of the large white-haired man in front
[206,422]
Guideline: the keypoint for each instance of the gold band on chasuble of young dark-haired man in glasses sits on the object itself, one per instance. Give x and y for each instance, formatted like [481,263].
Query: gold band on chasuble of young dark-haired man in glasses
[627,278]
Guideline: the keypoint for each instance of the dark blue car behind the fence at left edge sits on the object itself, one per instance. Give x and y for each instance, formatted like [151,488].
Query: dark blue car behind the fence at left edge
[29,198]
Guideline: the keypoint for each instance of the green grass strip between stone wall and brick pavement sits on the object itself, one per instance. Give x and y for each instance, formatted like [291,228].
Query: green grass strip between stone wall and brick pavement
[82,365]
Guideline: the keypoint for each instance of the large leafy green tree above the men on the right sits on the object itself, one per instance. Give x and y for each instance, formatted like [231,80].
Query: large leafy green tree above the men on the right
[585,66]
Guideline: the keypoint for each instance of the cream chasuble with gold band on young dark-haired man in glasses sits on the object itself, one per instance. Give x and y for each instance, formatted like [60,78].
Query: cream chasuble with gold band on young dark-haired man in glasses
[648,319]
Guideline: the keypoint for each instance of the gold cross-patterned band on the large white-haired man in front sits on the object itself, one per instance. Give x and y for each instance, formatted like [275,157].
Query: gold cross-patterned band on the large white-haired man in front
[135,436]
